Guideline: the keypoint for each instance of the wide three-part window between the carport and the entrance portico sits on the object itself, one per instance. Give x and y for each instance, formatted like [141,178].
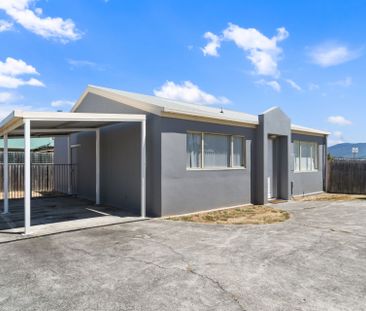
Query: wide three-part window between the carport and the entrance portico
[206,150]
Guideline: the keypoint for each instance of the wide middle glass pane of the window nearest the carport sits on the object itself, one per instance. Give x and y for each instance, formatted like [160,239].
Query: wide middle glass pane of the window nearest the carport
[216,150]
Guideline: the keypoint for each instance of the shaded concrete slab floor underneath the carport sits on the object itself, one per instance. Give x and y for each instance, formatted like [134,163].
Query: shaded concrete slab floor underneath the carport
[51,215]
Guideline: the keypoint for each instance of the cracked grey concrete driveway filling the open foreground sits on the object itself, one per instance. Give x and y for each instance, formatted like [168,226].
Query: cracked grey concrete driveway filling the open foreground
[314,261]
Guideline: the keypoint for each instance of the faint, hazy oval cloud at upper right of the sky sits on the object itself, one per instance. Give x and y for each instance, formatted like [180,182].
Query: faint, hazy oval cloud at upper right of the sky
[331,54]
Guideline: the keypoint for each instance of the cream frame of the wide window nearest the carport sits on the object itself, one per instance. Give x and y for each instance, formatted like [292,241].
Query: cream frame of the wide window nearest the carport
[231,167]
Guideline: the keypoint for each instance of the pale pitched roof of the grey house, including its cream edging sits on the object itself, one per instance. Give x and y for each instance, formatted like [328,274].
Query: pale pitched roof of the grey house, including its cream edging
[173,108]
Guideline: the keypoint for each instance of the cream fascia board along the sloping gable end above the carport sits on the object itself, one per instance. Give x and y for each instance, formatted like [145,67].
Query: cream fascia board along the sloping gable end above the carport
[118,98]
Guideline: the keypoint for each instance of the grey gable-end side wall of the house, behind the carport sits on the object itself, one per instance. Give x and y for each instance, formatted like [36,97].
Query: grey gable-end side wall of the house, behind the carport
[119,186]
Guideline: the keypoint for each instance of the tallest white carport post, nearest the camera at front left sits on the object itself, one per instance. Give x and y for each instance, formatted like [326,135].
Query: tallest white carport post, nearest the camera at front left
[27,177]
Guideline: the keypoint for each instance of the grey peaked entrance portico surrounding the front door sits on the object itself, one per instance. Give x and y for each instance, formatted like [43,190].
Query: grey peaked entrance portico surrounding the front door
[273,122]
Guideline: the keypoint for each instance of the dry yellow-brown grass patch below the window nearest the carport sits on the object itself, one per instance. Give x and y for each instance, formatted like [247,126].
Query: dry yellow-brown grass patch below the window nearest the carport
[256,214]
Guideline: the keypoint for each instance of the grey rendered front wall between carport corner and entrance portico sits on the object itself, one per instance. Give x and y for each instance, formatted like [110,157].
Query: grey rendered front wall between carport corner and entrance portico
[185,191]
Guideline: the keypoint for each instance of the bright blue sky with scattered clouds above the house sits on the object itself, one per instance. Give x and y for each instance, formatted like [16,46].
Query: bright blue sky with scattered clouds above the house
[308,57]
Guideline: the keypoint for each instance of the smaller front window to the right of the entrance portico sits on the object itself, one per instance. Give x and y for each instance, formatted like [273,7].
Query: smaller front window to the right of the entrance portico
[305,156]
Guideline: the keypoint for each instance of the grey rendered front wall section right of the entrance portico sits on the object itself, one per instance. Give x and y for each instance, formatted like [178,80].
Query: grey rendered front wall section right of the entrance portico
[308,182]
